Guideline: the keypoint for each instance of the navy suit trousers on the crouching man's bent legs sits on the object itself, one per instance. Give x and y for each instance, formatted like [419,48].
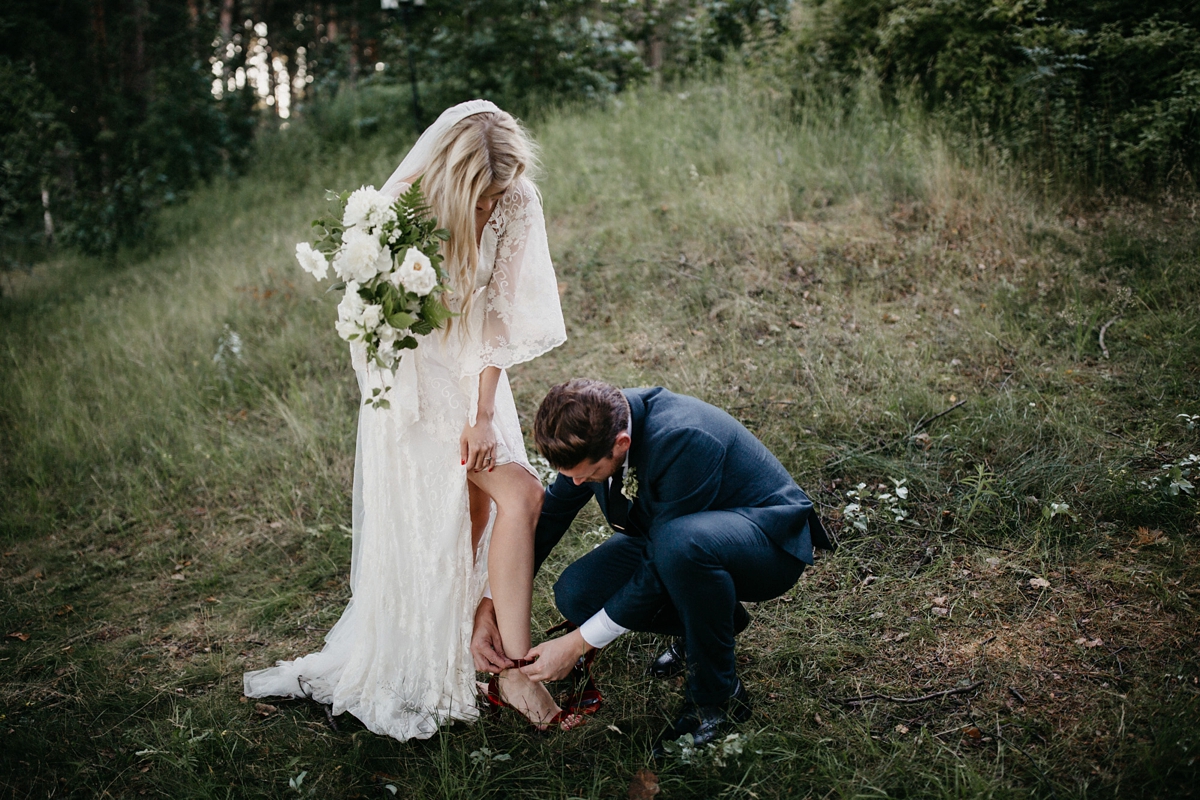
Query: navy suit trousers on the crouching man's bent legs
[685,580]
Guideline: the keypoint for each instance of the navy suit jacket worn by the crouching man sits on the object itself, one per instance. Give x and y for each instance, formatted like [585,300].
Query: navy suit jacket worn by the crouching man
[688,458]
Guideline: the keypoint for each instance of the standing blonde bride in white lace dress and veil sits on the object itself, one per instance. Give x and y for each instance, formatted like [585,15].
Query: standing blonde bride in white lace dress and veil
[446,501]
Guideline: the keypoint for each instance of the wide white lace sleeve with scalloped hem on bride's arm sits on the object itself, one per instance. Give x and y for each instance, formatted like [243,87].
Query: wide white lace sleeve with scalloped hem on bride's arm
[521,317]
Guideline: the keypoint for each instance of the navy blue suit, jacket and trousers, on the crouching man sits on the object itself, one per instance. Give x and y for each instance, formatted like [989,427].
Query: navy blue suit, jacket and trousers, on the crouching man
[716,520]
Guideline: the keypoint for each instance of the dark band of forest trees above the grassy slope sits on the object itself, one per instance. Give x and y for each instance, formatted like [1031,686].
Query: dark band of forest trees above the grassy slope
[115,109]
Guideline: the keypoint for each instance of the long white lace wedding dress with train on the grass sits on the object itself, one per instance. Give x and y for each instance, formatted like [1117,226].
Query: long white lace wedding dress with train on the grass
[399,657]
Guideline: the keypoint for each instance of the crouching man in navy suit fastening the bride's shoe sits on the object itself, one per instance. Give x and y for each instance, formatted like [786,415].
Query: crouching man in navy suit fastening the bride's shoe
[705,518]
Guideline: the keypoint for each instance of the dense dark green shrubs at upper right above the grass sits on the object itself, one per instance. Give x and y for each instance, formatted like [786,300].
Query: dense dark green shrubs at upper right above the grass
[1088,93]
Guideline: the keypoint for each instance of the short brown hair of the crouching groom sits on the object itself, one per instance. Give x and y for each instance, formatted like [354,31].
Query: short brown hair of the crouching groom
[579,422]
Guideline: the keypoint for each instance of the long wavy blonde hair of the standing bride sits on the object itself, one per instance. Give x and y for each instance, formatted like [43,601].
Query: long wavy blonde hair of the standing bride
[482,151]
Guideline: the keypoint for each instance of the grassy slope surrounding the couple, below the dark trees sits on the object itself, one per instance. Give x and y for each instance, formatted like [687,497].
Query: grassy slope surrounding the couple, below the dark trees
[178,430]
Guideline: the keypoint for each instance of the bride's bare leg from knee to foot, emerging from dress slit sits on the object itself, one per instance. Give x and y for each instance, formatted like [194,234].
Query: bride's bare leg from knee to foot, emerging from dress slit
[518,496]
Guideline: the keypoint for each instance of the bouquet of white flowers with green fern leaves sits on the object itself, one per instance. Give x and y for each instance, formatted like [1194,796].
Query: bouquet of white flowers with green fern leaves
[387,256]
